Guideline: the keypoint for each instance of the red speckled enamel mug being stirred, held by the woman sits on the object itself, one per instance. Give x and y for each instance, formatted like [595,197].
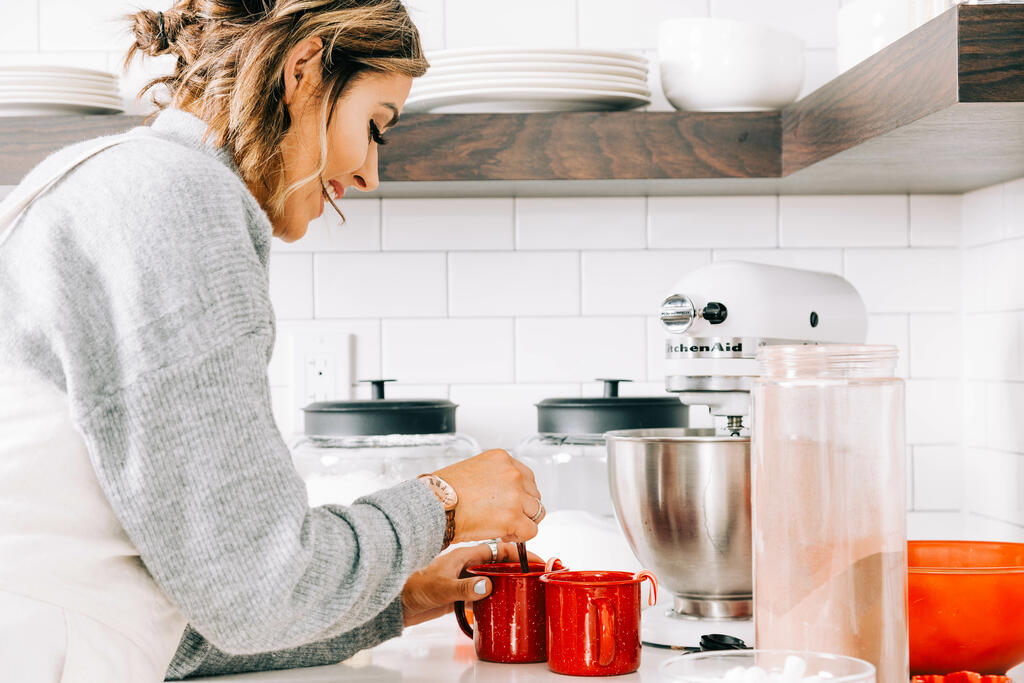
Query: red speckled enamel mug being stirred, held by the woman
[509,623]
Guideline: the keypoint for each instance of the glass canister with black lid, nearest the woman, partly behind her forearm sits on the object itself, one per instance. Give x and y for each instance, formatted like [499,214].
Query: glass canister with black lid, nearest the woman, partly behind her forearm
[355,448]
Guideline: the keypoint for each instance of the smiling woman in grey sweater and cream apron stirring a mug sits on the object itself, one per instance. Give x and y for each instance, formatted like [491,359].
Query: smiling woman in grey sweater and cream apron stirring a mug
[149,508]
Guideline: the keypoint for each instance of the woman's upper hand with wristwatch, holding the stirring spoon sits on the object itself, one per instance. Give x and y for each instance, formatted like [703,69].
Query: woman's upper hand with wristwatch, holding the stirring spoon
[498,498]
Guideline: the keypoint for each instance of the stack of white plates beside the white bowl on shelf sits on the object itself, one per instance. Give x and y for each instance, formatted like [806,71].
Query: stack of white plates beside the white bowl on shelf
[477,80]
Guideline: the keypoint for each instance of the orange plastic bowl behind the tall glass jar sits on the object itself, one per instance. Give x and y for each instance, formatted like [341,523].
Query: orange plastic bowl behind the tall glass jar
[966,607]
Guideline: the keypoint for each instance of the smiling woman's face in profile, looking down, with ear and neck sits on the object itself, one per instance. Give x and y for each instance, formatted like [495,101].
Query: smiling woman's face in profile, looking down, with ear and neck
[369,107]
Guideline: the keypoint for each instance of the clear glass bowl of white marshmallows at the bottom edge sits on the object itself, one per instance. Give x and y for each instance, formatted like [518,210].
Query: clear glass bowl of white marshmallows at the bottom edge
[712,667]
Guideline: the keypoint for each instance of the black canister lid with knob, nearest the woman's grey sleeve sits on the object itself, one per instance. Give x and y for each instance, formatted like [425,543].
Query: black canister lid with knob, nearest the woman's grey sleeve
[379,416]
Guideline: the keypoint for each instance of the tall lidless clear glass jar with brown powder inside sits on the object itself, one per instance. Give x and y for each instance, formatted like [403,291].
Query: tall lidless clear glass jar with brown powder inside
[829,477]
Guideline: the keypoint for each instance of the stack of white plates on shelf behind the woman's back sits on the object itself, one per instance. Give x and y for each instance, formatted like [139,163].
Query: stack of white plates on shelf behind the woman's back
[41,91]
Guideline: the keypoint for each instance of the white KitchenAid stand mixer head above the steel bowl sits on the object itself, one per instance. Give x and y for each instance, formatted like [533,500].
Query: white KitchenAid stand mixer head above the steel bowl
[718,316]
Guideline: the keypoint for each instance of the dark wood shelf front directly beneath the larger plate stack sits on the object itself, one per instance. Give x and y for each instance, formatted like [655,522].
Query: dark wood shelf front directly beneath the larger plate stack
[584,146]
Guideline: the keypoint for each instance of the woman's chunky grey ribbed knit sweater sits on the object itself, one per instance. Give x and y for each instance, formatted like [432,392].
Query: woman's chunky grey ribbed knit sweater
[139,285]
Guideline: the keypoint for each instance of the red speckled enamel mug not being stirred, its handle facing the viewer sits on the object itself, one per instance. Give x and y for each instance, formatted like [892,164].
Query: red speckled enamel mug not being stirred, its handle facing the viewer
[594,621]
